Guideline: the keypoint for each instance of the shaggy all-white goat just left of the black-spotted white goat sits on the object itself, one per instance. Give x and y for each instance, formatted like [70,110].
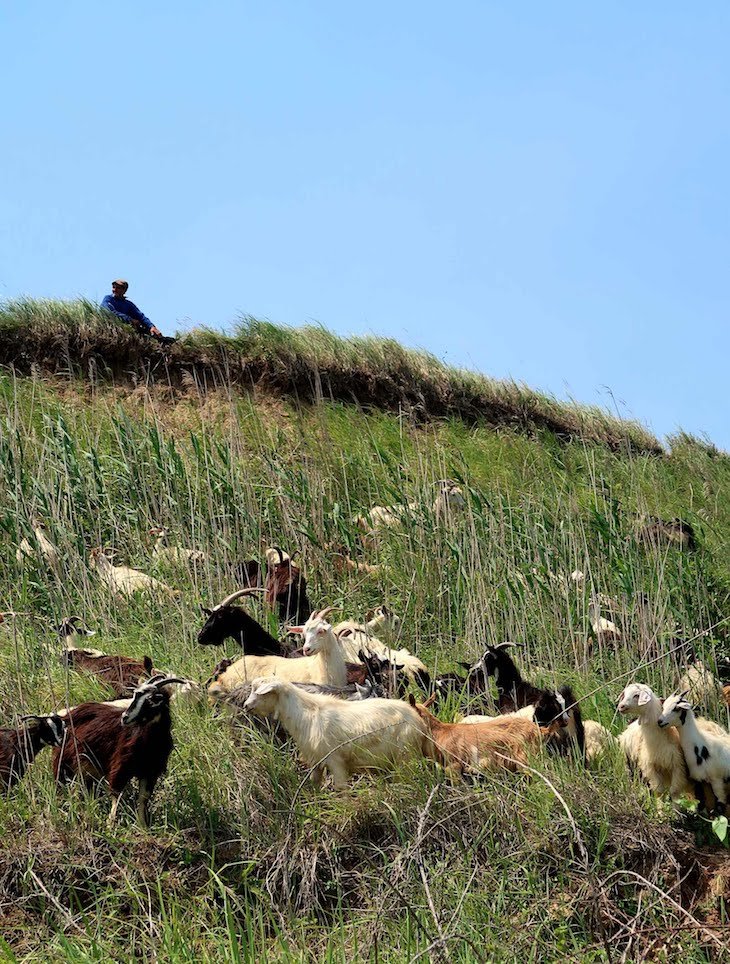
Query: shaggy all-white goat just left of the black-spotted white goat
[654,751]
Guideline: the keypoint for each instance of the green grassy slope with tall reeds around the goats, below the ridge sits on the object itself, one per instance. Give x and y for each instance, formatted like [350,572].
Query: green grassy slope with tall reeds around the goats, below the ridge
[246,861]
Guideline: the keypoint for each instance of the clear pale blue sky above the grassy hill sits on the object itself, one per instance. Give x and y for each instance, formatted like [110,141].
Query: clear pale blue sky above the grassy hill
[534,190]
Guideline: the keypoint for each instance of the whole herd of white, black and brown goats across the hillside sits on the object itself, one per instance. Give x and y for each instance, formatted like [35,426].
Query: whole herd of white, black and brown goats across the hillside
[347,699]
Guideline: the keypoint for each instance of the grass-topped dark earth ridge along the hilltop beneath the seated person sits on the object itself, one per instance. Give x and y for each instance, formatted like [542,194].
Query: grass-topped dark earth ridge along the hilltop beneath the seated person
[307,364]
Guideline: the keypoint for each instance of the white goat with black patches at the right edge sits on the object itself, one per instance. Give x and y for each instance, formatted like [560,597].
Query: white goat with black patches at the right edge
[706,751]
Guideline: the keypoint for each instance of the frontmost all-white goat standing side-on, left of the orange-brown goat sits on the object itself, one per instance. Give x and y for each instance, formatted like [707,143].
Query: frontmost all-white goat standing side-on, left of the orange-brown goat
[339,736]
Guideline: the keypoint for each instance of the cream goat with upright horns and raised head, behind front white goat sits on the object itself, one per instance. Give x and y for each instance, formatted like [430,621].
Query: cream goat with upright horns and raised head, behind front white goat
[322,661]
